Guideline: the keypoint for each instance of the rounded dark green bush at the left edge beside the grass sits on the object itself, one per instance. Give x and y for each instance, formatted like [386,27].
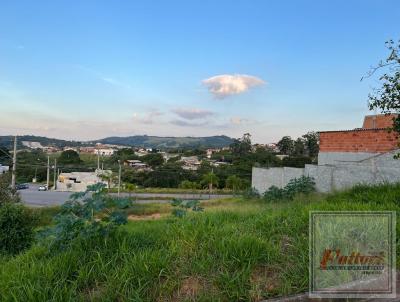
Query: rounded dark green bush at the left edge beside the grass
[16,228]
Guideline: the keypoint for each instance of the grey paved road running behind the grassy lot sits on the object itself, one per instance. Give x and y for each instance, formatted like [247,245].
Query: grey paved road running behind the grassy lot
[33,197]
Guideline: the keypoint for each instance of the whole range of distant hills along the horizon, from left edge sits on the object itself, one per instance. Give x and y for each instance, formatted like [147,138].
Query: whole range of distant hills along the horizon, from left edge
[133,141]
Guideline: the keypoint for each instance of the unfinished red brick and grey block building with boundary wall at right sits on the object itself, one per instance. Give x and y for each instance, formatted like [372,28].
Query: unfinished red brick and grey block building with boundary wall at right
[347,157]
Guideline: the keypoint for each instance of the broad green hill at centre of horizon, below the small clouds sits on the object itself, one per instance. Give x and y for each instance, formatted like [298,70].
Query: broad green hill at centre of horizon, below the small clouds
[169,142]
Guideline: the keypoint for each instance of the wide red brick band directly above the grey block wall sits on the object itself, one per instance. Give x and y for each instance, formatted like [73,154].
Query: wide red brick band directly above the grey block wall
[371,140]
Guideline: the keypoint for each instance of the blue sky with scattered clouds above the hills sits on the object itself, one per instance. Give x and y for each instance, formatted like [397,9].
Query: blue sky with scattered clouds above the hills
[85,70]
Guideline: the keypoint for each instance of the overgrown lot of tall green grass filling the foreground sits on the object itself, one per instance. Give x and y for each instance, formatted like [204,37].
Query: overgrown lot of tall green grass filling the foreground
[236,250]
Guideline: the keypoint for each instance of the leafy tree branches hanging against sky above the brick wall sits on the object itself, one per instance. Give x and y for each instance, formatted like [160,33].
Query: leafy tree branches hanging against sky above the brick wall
[387,97]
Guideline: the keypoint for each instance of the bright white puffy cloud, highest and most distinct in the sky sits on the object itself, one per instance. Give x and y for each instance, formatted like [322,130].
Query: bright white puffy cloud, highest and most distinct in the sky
[224,85]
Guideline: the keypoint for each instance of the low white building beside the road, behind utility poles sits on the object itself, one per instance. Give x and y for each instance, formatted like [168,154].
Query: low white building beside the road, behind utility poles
[78,181]
